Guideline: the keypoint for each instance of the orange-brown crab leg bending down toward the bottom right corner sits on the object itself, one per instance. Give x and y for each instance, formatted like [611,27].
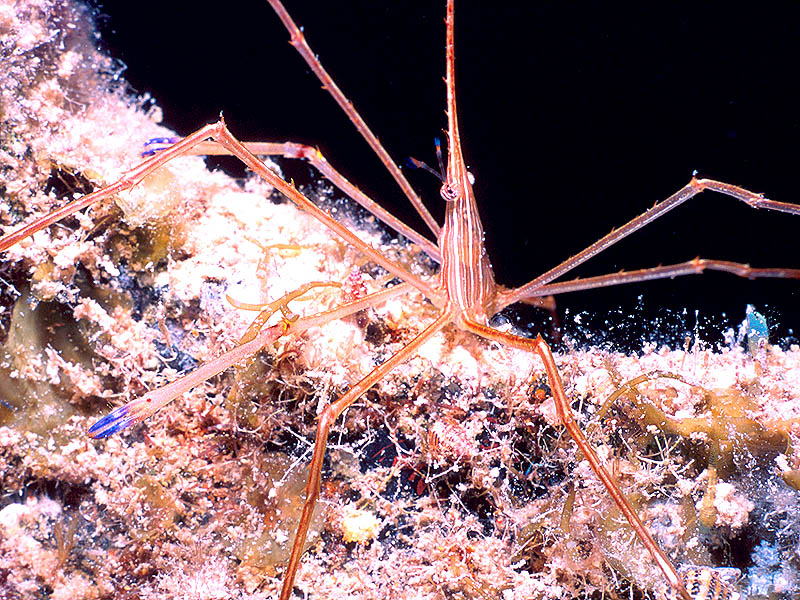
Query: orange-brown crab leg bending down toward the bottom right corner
[539,347]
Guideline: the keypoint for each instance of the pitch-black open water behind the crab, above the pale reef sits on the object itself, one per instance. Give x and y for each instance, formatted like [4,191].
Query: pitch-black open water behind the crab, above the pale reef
[574,119]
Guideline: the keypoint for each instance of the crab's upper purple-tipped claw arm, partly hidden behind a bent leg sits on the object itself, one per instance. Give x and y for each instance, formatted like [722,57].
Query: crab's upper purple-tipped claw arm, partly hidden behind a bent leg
[321,164]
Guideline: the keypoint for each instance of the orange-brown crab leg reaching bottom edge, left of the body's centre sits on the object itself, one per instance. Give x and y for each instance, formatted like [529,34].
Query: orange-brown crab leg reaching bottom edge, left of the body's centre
[326,420]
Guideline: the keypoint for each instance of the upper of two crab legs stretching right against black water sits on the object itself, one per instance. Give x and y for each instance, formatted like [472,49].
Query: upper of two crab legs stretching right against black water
[694,187]
